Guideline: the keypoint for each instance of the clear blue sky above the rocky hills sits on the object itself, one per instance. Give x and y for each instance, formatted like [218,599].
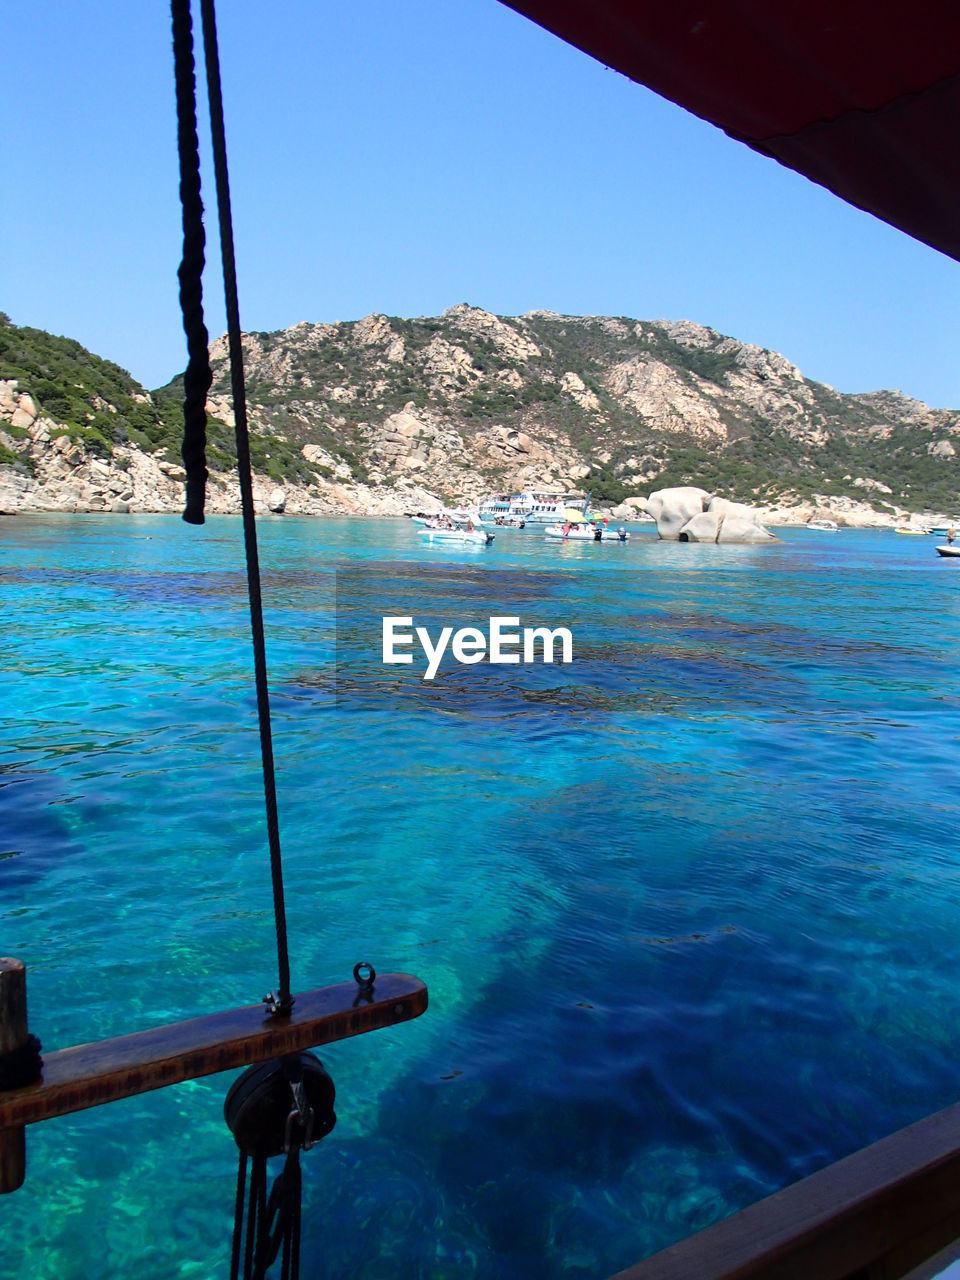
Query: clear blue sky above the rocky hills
[404,158]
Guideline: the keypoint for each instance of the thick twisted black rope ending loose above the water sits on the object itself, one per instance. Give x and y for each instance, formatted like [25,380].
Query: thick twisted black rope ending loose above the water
[198,378]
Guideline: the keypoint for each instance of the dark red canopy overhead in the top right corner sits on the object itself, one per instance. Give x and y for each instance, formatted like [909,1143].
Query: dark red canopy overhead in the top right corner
[862,98]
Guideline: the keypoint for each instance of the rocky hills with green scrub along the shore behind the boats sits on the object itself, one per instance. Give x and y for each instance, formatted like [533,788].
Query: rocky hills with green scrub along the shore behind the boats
[377,415]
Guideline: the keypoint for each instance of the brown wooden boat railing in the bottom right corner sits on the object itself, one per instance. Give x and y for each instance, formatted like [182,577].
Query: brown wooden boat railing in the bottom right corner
[876,1215]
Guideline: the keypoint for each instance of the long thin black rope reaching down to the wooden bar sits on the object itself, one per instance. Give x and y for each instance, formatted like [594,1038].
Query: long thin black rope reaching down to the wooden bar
[281,1003]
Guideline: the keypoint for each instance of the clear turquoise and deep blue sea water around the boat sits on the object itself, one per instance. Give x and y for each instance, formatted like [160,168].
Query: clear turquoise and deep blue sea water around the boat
[688,909]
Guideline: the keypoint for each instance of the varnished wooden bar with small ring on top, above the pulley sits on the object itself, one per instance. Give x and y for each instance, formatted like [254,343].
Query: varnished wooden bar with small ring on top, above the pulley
[89,1076]
